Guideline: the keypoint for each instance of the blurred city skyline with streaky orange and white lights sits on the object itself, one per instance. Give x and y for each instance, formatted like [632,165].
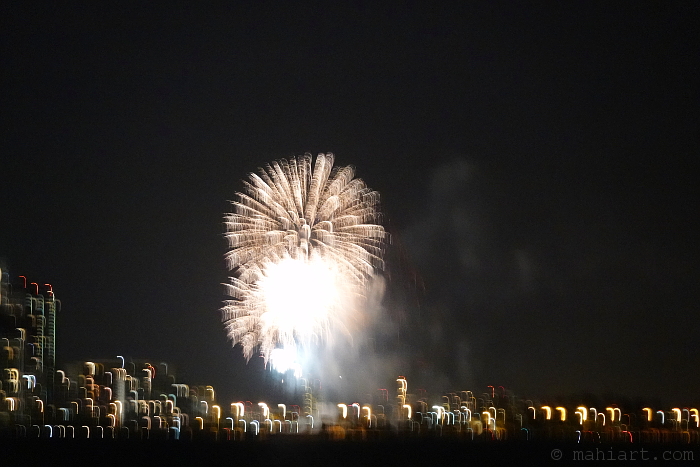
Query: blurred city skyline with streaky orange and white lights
[123,398]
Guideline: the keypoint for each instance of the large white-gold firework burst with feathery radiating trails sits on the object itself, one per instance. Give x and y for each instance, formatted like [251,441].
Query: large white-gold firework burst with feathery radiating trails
[303,244]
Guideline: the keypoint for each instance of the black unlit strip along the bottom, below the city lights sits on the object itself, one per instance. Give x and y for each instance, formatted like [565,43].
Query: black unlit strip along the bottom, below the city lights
[312,452]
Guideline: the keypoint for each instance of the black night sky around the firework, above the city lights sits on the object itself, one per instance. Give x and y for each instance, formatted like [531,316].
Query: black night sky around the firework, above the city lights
[536,166]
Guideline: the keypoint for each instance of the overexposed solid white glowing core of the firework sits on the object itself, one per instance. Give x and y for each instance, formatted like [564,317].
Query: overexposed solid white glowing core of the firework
[300,297]
